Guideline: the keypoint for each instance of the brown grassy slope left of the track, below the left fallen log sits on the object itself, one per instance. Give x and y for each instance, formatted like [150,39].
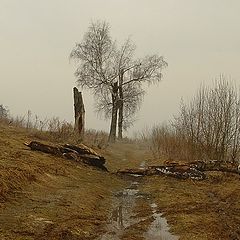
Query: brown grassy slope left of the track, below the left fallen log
[42,195]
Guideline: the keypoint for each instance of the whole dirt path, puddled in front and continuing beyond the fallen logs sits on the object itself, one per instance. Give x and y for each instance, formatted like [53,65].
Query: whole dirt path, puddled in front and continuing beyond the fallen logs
[135,215]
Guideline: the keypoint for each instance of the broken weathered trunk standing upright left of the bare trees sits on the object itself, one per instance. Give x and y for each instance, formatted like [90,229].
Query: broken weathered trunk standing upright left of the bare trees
[79,112]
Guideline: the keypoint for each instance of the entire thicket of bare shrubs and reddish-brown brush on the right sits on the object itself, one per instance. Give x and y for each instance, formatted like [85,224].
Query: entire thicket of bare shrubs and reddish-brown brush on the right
[208,127]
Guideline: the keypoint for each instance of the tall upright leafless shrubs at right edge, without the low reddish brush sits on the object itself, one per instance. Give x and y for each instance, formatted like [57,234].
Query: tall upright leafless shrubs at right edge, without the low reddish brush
[210,123]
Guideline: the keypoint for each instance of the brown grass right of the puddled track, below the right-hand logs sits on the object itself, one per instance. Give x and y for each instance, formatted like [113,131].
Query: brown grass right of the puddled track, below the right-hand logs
[199,210]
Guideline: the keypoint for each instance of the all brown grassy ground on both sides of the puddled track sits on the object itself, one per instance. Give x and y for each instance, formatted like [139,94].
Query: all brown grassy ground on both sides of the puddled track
[46,197]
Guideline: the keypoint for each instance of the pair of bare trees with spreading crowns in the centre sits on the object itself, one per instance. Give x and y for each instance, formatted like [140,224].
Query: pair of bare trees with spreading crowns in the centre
[112,74]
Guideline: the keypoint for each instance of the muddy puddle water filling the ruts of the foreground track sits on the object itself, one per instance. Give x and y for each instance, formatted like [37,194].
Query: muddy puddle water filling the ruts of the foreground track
[122,216]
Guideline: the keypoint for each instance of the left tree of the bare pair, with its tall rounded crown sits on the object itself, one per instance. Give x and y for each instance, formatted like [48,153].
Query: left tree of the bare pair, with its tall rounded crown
[96,70]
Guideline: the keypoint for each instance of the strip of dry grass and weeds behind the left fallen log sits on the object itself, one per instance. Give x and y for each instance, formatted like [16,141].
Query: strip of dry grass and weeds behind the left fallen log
[55,130]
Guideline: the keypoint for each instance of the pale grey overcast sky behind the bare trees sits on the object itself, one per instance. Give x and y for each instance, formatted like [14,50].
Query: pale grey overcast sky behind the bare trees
[199,40]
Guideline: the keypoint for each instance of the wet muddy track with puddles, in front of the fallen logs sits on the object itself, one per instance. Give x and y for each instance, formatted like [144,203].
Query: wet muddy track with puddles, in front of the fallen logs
[123,217]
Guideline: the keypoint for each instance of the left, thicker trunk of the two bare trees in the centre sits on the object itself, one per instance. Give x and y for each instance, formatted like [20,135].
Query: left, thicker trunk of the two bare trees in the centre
[113,127]
